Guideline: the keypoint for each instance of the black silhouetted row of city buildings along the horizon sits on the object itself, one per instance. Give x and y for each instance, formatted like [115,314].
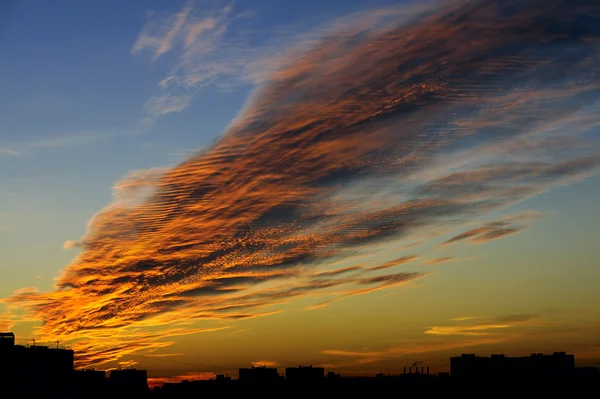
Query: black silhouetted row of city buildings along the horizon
[37,369]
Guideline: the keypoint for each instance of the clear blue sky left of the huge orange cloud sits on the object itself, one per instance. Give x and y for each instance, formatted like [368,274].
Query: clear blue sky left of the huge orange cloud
[75,109]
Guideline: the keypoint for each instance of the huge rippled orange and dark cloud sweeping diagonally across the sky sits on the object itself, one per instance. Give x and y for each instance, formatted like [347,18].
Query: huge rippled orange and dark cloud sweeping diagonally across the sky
[342,149]
